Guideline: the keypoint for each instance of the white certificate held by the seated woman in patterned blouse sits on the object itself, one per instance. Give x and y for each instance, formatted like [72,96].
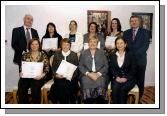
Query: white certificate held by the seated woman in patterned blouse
[31,69]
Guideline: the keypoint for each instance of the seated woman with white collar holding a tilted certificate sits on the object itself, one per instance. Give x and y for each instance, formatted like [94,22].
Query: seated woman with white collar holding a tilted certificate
[65,74]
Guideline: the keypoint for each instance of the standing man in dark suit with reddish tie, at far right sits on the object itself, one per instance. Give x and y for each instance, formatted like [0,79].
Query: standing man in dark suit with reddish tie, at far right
[138,43]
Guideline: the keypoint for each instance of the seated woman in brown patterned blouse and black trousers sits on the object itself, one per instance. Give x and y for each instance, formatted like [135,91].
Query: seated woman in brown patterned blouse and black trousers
[34,55]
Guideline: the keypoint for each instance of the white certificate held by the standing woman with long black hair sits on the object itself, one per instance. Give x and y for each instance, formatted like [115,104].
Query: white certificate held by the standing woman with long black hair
[49,43]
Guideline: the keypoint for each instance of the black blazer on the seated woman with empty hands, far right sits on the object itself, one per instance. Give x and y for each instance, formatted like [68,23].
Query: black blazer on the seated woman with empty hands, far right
[128,68]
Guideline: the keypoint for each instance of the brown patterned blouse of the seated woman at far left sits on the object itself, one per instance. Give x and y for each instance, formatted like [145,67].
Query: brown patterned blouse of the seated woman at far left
[42,57]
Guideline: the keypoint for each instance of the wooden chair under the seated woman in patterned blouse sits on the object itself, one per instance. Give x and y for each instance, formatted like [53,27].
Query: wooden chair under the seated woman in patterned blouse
[29,92]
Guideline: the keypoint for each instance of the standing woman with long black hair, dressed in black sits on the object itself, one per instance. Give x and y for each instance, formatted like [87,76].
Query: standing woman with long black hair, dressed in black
[51,33]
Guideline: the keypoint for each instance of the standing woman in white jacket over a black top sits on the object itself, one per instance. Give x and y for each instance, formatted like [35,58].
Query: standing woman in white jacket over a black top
[75,37]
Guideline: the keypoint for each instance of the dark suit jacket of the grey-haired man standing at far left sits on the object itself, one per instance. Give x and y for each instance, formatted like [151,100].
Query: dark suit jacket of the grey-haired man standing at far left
[19,43]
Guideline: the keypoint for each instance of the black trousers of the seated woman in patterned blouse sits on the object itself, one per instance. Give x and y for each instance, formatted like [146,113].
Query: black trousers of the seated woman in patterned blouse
[35,86]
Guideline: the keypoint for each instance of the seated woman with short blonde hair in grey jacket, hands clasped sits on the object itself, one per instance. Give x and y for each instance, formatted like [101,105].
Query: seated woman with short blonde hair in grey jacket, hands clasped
[93,66]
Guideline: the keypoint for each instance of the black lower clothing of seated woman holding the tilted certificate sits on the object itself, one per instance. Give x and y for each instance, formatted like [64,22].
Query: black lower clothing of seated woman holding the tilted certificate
[63,92]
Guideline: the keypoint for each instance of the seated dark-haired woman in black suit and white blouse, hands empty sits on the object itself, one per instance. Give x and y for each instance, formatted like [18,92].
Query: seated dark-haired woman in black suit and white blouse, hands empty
[123,67]
